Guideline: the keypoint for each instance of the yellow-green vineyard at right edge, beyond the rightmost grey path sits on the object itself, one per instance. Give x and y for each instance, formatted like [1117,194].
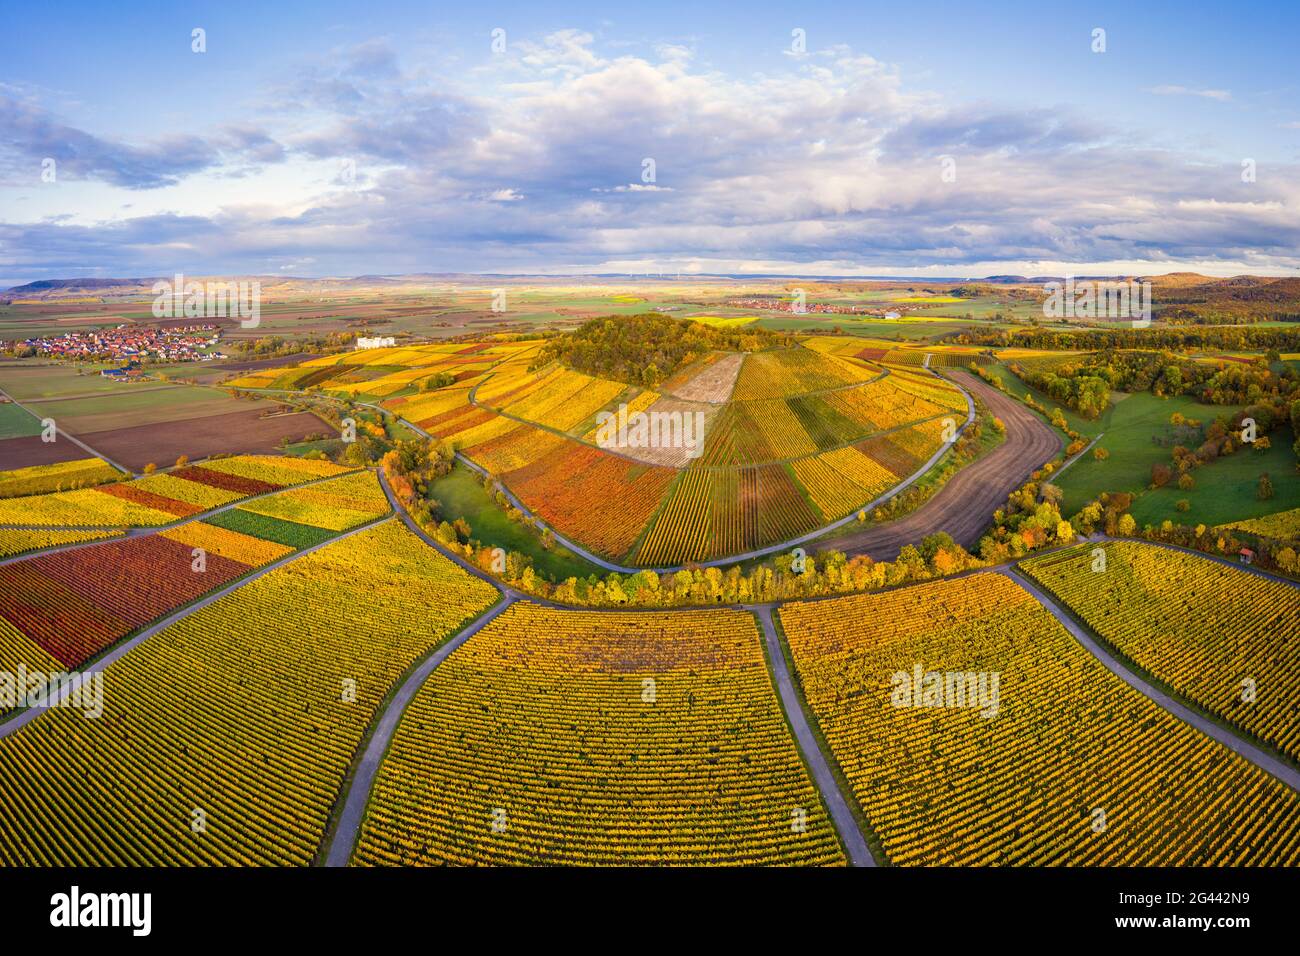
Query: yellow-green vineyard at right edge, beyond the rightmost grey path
[1221,638]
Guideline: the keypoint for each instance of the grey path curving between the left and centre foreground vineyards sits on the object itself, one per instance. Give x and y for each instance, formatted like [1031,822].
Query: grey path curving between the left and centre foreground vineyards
[357,801]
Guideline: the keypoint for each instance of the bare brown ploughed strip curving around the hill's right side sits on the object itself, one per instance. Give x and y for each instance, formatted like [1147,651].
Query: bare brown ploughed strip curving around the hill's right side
[965,505]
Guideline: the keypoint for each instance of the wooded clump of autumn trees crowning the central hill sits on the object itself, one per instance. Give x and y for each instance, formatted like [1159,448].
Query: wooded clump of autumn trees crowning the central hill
[647,349]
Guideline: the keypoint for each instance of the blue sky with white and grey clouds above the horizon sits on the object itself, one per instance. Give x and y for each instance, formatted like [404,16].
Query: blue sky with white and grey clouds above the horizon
[950,140]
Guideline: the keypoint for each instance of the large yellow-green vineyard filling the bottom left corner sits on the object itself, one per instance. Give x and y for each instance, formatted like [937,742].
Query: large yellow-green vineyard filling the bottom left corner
[227,738]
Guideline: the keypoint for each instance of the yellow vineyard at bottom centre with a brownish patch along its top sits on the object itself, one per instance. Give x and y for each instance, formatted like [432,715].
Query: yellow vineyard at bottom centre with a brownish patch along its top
[599,739]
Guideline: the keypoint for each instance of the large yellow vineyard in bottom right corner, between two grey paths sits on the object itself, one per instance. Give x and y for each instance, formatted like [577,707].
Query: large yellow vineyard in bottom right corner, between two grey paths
[1073,767]
